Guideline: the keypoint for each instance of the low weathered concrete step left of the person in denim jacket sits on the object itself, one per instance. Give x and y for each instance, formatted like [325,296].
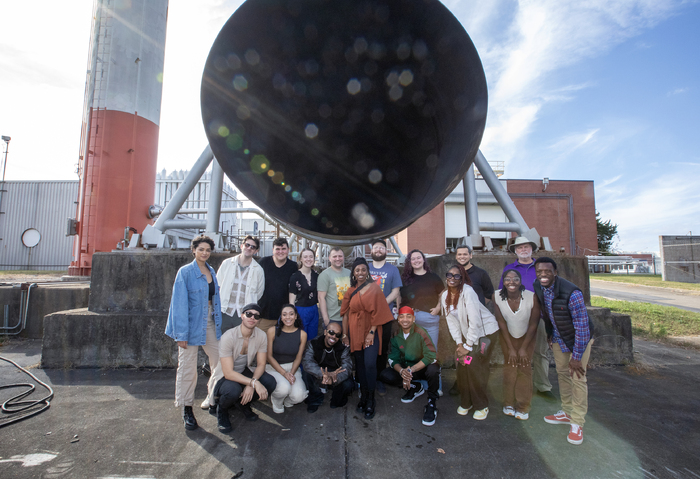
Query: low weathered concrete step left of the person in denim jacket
[83,339]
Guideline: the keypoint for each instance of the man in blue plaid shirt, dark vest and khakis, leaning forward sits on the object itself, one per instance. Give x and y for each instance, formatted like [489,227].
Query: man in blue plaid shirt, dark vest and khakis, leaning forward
[569,331]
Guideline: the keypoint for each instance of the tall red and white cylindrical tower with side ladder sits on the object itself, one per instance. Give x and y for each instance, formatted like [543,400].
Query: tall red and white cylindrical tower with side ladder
[119,140]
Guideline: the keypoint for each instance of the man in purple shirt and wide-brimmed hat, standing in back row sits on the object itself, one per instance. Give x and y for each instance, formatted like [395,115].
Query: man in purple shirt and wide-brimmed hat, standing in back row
[525,265]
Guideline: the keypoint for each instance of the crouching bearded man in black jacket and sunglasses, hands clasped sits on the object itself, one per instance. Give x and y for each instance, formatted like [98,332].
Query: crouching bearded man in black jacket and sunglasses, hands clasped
[327,365]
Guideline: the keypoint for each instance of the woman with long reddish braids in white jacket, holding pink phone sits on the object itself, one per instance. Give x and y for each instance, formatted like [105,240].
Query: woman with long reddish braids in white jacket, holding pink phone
[469,321]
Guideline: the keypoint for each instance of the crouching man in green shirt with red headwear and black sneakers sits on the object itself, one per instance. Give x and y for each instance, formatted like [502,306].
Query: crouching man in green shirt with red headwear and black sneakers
[413,357]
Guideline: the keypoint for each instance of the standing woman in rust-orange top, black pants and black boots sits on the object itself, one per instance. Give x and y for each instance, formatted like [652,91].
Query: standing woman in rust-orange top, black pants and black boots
[364,311]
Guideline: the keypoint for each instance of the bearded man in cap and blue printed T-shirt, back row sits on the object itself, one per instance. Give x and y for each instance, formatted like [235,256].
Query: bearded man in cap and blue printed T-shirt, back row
[388,278]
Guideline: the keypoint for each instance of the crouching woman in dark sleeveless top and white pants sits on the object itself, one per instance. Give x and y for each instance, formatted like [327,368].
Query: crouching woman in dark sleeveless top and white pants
[285,348]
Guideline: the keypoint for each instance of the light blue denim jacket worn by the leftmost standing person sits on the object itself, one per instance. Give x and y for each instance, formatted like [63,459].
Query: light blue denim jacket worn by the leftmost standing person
[187,318]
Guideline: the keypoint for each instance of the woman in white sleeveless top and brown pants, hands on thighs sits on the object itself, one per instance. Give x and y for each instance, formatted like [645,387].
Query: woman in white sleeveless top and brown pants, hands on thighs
[518,315]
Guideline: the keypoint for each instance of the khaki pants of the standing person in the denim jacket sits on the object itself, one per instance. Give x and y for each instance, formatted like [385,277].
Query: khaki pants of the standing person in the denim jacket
[186,380]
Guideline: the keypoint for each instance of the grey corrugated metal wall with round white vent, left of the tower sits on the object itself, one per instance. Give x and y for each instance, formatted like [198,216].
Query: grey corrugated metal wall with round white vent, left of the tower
[45,206]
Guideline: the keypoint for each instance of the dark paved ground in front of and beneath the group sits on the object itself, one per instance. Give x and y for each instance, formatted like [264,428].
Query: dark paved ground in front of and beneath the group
[643,422]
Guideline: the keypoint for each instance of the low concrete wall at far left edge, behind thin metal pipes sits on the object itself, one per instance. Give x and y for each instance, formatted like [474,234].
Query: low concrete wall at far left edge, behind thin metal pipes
[43,299]
